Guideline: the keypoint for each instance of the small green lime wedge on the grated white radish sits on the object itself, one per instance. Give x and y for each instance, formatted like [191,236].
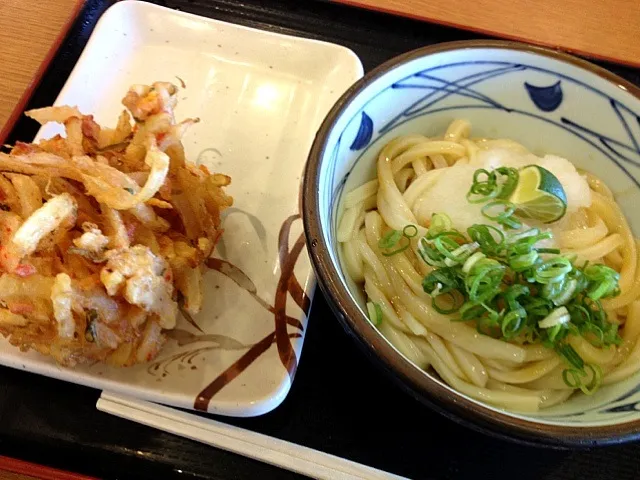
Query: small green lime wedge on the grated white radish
[539,195]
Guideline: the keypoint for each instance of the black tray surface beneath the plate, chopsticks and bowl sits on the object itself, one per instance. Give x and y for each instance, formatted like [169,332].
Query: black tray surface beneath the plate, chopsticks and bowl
[340,403]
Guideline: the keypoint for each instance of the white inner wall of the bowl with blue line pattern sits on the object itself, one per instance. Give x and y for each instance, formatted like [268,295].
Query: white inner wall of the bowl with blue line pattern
[546,104]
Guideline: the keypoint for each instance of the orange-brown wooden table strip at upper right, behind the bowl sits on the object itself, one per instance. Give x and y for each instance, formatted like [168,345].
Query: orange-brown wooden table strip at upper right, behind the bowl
[604,29]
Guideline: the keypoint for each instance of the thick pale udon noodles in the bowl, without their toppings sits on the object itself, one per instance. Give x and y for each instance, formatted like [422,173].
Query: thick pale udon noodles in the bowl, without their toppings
[509,375]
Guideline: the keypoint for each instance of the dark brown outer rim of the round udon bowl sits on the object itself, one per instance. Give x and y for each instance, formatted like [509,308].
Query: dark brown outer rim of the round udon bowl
[471,413]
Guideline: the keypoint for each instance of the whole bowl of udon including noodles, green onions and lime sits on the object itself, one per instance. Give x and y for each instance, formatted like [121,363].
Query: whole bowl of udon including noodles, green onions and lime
[471,213]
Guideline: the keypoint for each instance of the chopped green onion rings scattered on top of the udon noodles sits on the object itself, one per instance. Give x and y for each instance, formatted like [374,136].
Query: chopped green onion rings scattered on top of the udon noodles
[511,288]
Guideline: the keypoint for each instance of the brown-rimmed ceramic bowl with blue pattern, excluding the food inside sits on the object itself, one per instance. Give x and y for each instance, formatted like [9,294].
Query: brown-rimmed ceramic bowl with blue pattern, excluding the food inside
[548,101]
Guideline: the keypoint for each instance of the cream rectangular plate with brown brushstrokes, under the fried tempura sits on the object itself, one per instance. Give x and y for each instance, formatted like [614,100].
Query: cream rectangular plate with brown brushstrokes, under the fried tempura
[260,97]
